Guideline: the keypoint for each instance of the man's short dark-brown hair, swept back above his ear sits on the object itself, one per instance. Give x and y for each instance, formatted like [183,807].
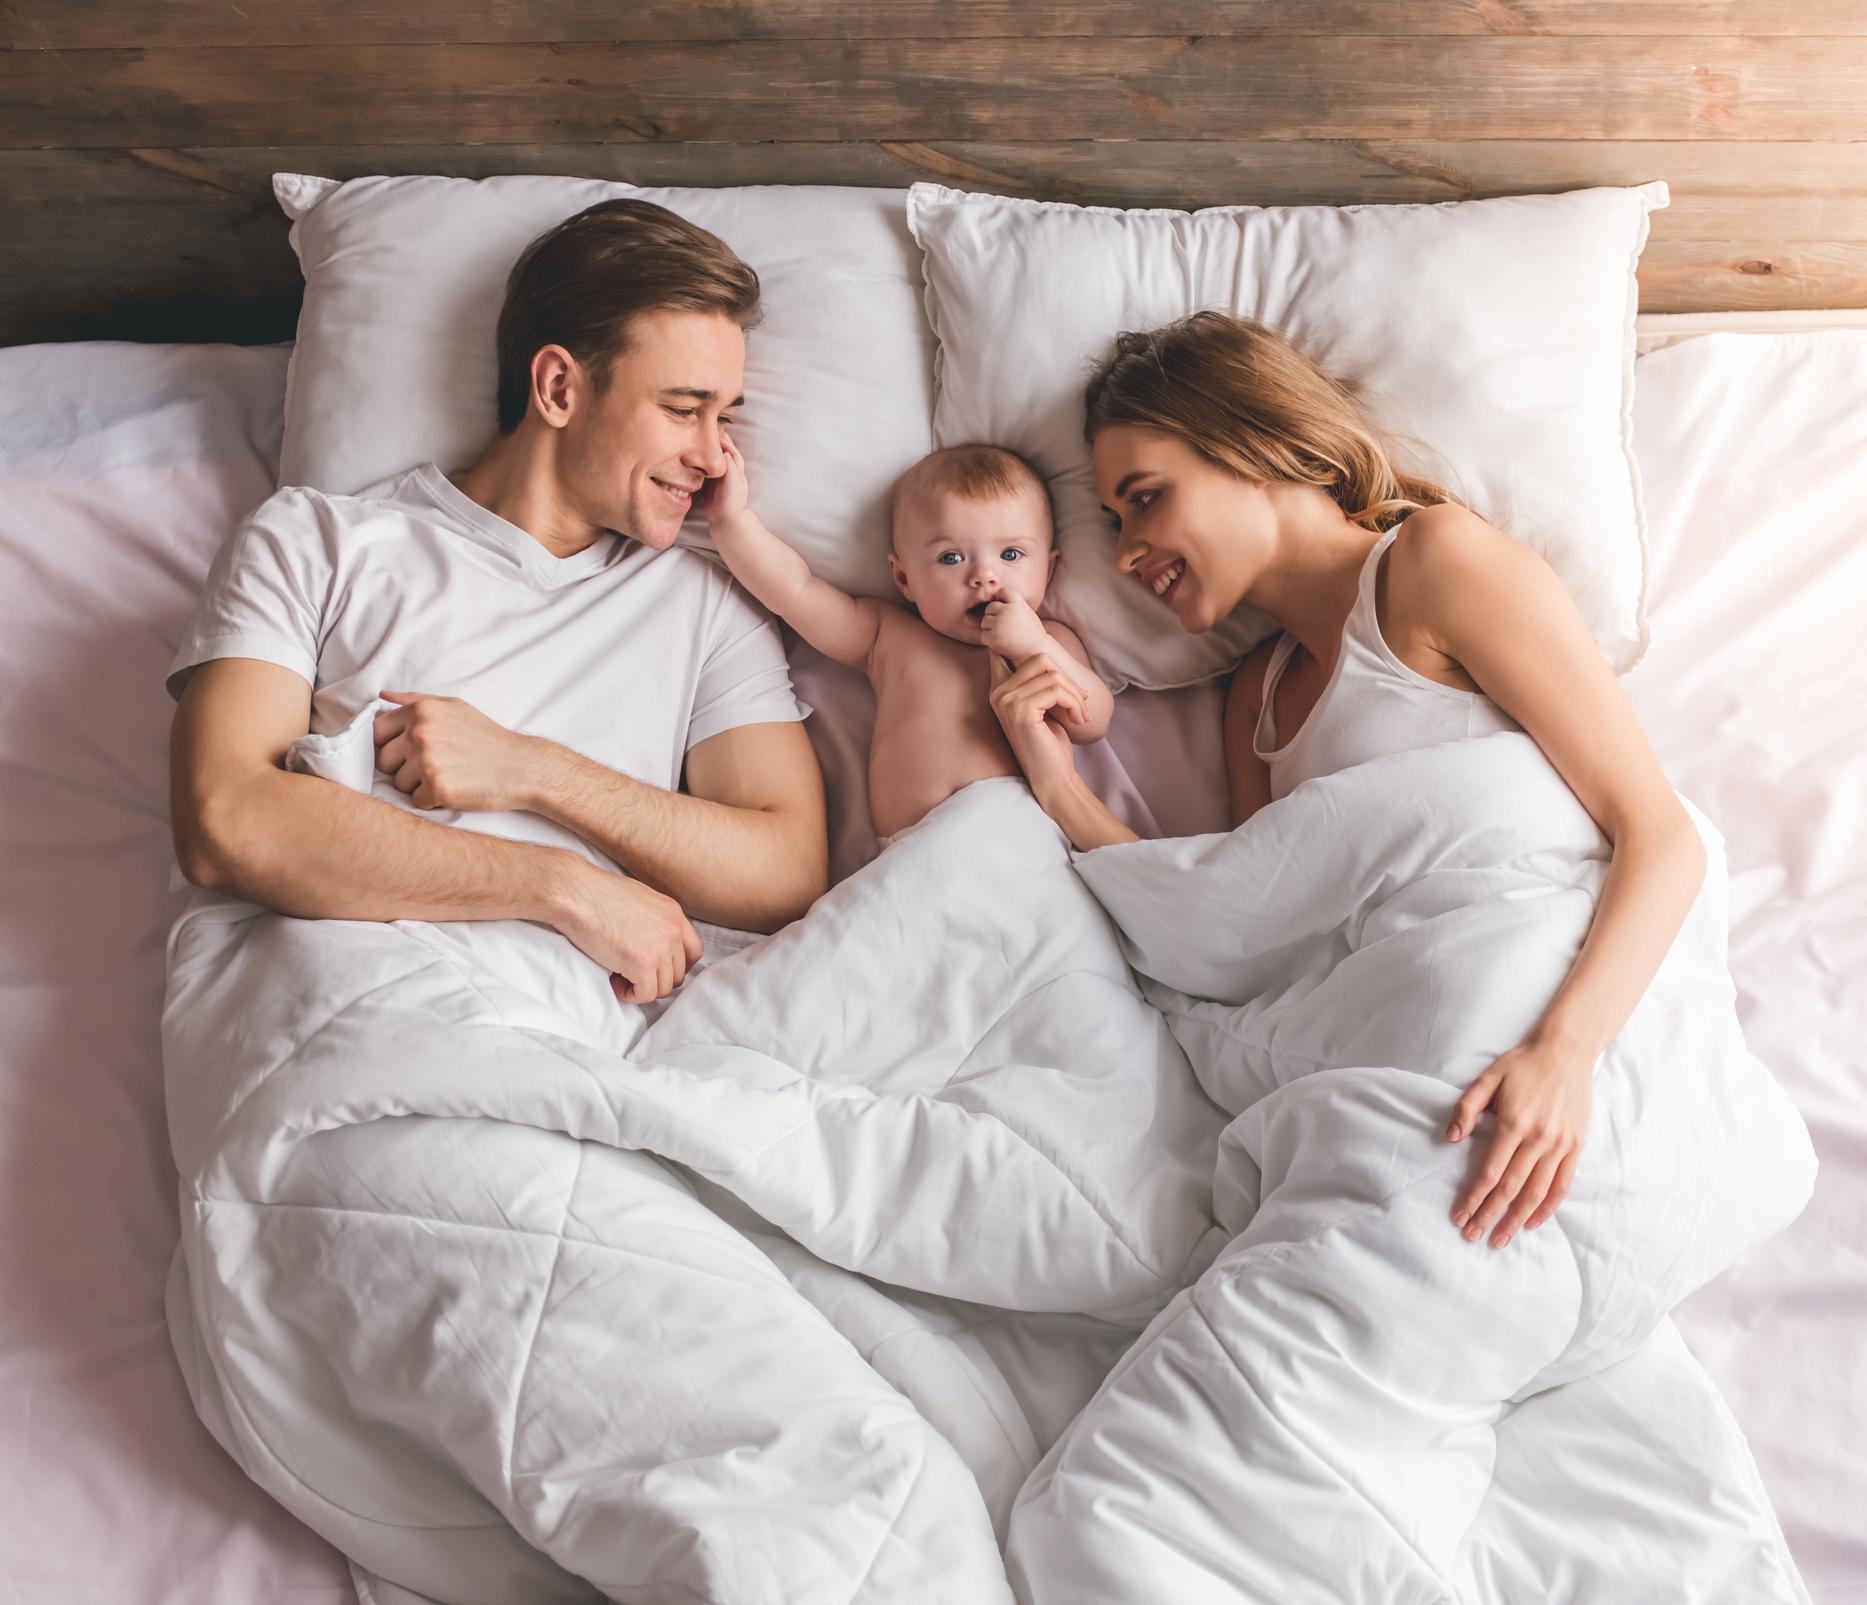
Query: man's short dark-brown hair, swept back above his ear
[585,283]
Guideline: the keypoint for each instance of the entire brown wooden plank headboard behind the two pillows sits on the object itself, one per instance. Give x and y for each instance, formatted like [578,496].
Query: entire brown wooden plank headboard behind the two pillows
[137,139]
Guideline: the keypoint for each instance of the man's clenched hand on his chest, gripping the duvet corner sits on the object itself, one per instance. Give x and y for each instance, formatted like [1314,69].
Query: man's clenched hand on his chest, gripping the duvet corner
[445,753]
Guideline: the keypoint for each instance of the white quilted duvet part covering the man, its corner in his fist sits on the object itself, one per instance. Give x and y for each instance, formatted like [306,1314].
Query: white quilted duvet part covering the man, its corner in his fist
[440,1300]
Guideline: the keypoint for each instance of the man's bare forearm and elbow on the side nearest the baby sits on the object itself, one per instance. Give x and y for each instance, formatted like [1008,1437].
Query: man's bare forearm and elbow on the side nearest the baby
[748,869]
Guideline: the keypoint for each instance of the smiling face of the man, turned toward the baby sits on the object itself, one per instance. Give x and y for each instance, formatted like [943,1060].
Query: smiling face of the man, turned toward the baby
[636,454]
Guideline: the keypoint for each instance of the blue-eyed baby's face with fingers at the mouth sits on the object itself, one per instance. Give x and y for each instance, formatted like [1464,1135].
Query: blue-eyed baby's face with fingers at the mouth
[953,557]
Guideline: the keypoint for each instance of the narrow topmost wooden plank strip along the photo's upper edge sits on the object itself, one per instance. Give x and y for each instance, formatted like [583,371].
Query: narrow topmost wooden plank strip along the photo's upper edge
[81,25]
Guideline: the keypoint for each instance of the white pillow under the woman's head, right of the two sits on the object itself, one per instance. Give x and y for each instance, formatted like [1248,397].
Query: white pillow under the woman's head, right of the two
[1495,339]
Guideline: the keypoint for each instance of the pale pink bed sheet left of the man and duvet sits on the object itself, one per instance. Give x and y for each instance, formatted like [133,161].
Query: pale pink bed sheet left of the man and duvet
[120,471]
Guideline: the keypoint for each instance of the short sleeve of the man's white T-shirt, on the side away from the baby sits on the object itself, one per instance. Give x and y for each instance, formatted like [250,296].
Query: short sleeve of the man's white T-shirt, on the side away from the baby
[266,593]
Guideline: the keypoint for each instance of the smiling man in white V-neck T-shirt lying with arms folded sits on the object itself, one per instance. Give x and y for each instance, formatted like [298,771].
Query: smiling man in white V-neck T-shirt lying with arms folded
[542,585]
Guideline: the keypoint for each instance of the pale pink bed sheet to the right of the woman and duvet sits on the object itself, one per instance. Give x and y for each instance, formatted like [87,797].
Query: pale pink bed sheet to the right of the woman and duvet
[1754,456]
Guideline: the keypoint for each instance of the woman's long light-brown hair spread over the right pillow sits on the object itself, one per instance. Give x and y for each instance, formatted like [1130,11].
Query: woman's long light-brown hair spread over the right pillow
[1250,400]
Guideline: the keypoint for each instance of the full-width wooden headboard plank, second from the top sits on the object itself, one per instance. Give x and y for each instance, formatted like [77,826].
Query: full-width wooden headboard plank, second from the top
[921,92]
